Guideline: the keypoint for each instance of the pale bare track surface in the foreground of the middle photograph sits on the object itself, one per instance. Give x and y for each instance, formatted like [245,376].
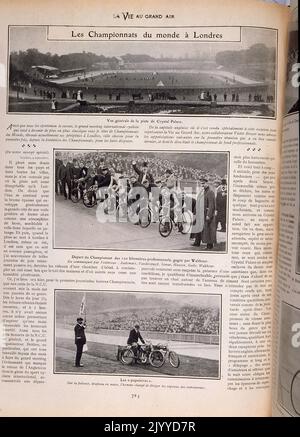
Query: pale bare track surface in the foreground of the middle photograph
[77,227]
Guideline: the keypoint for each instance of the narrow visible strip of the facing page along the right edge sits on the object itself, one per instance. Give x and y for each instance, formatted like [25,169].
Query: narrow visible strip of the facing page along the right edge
[287,366]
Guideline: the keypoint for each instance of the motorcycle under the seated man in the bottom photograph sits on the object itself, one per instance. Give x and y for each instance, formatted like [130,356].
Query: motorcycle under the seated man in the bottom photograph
[145,354]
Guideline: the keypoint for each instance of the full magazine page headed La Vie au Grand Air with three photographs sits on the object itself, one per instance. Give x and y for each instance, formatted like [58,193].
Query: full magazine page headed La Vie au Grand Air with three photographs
[140,155]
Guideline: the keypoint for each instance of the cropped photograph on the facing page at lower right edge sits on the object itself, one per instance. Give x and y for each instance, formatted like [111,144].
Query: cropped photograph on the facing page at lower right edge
[289,360]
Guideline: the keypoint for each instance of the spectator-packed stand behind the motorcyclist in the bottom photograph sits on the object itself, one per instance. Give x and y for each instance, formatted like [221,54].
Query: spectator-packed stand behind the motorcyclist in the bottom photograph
[158,315]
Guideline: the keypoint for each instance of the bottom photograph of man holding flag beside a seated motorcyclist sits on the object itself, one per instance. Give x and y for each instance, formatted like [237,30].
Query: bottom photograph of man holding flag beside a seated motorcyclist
[137,333]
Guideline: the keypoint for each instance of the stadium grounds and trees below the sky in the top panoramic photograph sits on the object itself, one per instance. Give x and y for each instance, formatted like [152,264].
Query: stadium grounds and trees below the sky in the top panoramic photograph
[226,82]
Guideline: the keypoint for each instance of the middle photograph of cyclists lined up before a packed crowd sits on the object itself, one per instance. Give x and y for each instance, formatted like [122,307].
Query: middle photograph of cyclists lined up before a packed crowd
[149,201]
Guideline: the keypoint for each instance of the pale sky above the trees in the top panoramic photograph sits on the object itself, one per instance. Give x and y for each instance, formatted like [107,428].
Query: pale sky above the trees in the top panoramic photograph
[23,38]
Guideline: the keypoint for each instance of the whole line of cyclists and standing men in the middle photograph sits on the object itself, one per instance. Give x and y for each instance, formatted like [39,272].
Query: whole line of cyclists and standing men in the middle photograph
[138,196]
